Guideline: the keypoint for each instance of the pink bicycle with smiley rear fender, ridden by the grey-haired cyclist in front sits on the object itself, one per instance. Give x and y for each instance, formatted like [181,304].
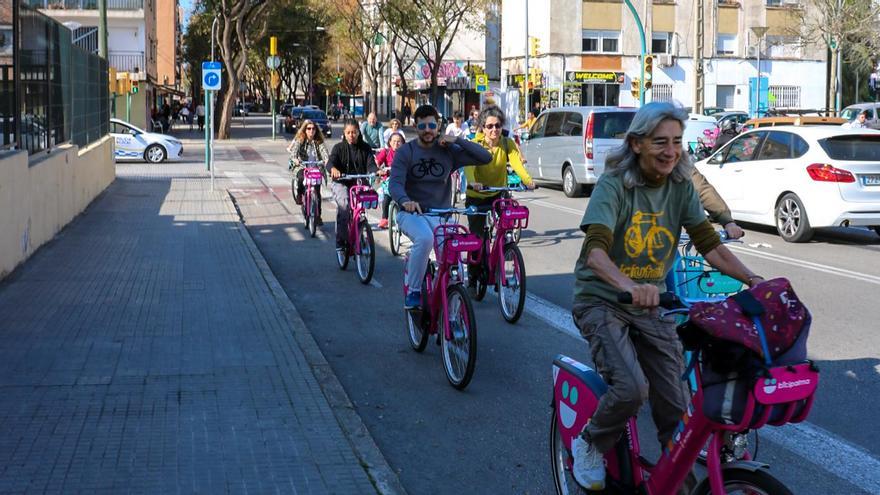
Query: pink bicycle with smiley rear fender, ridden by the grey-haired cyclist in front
[781,394]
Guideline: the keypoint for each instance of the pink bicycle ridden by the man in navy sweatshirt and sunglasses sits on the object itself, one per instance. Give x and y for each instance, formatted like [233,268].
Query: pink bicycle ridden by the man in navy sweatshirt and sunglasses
[446,309]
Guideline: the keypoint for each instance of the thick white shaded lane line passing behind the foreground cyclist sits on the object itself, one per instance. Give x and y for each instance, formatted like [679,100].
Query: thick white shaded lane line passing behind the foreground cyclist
[808,441]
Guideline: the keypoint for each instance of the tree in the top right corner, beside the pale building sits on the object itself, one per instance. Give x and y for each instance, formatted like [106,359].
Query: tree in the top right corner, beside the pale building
[846,27]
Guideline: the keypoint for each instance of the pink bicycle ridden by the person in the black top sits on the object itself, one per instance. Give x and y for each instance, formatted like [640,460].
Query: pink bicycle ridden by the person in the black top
[360,243]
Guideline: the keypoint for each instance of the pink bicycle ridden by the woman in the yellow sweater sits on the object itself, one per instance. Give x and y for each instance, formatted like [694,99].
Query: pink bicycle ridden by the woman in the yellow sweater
[500,260]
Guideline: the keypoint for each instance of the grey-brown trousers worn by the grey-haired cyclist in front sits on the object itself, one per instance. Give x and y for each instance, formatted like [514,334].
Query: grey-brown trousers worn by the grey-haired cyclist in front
[632,352]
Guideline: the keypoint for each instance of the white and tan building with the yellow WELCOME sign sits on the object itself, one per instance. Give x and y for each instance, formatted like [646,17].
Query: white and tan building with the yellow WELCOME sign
[589,53]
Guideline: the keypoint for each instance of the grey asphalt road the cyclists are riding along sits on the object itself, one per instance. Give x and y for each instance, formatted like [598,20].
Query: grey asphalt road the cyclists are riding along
[493,437]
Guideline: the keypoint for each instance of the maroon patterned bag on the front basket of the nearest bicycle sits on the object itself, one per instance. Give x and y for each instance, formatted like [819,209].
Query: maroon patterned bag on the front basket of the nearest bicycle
[737,342]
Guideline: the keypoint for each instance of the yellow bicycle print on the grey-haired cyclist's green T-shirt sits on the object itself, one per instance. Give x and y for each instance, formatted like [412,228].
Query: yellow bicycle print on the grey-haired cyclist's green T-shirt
[645,236]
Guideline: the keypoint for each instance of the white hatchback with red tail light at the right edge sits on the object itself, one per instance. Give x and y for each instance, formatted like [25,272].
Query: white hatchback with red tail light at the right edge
[799,178]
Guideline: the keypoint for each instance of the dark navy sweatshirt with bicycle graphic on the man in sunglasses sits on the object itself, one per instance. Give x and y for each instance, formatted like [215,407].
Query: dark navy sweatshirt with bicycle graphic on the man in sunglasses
[422,174]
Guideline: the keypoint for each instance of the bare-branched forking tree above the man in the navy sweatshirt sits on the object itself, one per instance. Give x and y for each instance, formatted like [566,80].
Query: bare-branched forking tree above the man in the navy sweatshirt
[429,27]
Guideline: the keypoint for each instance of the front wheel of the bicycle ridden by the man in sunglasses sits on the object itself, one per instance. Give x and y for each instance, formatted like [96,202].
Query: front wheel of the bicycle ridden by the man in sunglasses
[460,352]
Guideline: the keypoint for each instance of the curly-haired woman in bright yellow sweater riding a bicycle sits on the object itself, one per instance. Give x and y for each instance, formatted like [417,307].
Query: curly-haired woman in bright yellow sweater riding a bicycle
[504,151]
